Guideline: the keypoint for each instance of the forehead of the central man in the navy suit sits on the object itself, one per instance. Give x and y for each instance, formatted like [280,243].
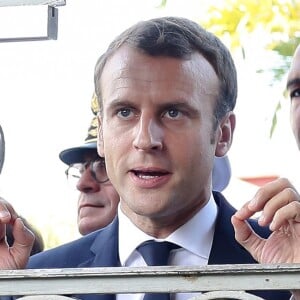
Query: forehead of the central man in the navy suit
[126,69]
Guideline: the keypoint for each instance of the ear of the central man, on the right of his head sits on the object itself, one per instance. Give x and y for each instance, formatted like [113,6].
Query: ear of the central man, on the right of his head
[225,136]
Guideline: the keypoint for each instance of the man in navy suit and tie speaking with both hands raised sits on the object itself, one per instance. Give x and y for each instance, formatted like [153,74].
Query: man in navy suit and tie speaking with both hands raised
[167,89]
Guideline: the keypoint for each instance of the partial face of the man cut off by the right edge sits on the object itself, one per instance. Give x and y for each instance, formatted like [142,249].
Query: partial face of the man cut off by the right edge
[293,88]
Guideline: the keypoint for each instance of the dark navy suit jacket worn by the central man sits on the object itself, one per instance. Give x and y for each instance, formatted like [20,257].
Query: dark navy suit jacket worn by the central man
[100,249]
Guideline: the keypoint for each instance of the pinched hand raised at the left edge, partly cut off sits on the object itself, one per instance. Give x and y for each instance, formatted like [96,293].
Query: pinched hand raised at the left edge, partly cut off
[15,257]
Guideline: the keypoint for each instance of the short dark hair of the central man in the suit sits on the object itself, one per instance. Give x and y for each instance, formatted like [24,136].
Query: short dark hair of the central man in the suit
[179,38]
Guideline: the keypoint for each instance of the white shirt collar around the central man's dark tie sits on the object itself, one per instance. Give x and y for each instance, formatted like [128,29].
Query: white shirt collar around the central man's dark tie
[199,243]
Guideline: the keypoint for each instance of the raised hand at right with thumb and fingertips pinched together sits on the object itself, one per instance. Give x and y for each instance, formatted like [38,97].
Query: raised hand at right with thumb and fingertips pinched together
[278,202]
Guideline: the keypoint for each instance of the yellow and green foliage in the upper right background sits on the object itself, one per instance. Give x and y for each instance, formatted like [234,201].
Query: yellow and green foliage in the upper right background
[274,23]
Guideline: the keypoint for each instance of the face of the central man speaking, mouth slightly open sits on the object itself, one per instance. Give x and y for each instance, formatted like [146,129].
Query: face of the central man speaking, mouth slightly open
[157,134]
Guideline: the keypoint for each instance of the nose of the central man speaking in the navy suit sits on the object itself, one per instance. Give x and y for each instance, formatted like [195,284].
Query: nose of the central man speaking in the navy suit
[149,135]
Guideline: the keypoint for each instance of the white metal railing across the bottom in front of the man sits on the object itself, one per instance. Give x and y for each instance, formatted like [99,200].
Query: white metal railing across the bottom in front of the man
[214,279]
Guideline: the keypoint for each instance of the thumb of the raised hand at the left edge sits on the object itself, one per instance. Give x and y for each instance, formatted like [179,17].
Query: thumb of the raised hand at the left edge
[23,242]
